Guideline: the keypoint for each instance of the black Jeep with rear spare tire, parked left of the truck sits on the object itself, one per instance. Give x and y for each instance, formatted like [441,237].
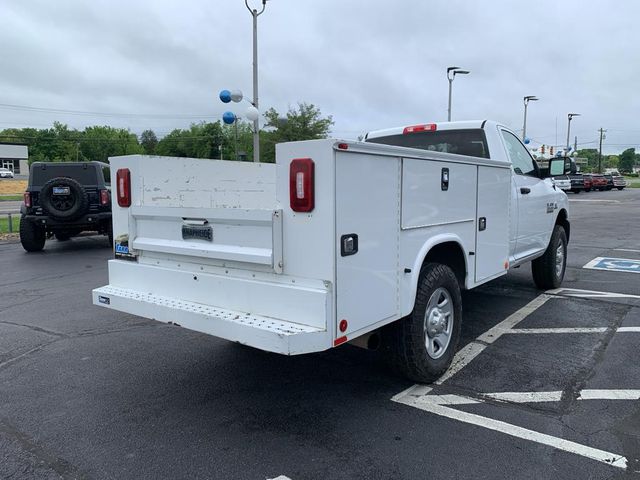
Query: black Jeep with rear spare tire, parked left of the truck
[64,199]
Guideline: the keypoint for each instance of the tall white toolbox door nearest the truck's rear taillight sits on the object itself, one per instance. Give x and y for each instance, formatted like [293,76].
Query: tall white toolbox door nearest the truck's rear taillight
[367,206]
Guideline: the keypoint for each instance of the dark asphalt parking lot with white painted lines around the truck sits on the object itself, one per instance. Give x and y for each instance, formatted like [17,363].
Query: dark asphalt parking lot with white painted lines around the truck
[545,385]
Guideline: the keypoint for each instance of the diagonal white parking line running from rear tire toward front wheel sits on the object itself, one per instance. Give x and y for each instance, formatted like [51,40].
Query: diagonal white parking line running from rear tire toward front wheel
[475,348]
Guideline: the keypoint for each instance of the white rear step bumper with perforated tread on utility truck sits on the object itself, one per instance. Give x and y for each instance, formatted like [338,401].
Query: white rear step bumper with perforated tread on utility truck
[257,331]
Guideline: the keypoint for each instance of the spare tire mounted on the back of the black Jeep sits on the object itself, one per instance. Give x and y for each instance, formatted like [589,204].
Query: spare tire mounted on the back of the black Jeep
[64,207]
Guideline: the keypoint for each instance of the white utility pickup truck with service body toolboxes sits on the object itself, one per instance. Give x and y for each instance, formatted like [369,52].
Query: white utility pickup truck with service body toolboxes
[336,240]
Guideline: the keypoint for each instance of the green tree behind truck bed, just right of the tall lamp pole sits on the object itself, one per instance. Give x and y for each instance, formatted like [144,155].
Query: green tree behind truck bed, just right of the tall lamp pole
[304,123]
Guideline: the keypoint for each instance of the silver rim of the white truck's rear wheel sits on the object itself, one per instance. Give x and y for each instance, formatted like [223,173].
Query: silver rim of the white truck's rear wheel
[438,323]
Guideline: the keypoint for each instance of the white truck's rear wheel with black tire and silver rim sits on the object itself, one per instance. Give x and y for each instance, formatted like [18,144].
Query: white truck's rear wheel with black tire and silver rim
[409,336]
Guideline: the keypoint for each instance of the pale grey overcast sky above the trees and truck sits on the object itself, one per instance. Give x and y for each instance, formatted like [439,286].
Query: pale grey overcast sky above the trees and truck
[370,64]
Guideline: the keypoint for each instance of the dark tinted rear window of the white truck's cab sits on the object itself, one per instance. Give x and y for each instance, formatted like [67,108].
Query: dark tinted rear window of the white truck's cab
[469,142]
